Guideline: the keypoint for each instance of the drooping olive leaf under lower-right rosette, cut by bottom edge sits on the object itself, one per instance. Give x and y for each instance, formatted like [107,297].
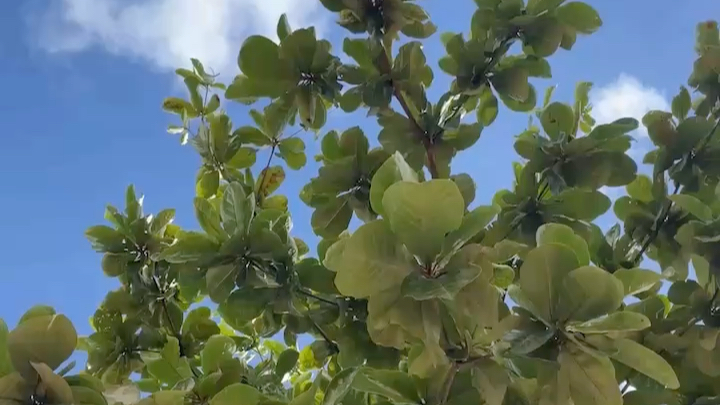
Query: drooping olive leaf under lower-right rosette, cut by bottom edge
[592,378]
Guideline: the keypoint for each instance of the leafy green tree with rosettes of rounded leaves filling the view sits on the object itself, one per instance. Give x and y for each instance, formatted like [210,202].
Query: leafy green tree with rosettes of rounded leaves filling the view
[432,299]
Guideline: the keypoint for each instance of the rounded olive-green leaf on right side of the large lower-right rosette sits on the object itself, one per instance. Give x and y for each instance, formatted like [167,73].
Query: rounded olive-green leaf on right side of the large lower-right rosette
[589,292]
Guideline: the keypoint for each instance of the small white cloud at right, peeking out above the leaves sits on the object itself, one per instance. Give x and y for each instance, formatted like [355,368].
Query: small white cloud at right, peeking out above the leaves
[626,97]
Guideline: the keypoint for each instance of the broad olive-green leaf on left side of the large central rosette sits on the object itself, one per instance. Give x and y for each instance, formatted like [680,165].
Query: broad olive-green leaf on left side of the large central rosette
[371,260]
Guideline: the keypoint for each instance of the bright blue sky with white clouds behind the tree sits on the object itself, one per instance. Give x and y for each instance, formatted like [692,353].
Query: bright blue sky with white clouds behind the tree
[84,81]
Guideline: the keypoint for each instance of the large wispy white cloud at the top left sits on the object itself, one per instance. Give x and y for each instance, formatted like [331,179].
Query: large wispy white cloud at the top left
[167,33]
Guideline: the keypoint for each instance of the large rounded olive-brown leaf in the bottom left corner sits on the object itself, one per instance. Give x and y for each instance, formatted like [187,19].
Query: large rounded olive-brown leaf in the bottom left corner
[49,339]
